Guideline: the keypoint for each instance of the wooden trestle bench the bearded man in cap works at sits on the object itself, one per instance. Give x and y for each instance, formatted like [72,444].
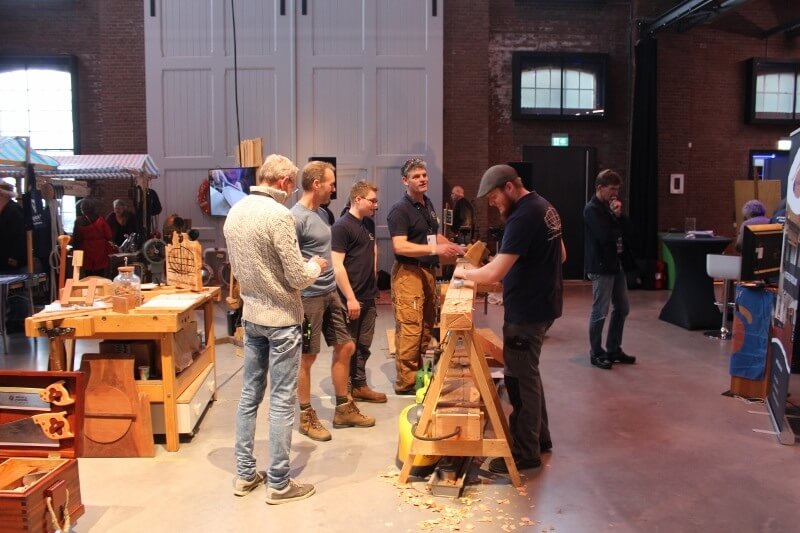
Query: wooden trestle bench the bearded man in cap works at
[445,430]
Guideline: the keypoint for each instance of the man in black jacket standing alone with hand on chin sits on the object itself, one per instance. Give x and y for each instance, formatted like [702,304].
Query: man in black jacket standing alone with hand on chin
[606,229]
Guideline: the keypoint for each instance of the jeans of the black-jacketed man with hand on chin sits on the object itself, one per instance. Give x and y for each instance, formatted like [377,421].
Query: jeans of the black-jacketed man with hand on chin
[613,289]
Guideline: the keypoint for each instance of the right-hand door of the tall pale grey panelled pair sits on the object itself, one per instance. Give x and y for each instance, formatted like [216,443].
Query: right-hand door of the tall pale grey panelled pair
[369,91]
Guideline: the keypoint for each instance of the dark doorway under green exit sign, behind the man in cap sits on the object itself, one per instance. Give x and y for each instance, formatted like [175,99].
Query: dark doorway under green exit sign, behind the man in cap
[564,176]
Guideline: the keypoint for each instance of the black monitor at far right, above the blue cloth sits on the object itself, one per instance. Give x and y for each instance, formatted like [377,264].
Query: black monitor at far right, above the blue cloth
[761,251]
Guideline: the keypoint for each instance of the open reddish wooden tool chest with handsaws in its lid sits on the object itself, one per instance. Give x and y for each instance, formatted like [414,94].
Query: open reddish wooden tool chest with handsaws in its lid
[33,473]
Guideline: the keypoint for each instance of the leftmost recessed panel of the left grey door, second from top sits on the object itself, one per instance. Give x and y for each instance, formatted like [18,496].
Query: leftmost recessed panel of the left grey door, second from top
[188,123]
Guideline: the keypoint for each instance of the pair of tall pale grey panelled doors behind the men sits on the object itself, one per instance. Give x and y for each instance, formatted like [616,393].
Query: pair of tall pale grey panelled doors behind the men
[360,80]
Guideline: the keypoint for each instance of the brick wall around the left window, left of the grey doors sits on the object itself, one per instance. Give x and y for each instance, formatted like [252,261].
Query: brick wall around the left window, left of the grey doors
[107,39]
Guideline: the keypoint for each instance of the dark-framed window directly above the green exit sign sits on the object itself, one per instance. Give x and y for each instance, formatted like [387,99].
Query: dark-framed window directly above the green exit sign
[559,85]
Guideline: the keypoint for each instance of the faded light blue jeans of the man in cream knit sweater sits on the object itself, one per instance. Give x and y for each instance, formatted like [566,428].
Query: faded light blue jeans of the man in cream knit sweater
[275,350]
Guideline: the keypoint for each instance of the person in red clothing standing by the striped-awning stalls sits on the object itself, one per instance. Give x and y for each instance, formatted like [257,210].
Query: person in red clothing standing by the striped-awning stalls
[92,235]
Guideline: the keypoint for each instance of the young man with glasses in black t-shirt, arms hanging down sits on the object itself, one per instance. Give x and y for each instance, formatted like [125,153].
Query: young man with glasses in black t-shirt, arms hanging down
[354,252]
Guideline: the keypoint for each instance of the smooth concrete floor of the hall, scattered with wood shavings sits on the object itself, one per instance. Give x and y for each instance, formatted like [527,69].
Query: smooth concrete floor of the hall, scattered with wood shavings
[649,447]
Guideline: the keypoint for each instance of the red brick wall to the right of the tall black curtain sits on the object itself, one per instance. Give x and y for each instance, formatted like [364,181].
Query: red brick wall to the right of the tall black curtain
[701,101]
